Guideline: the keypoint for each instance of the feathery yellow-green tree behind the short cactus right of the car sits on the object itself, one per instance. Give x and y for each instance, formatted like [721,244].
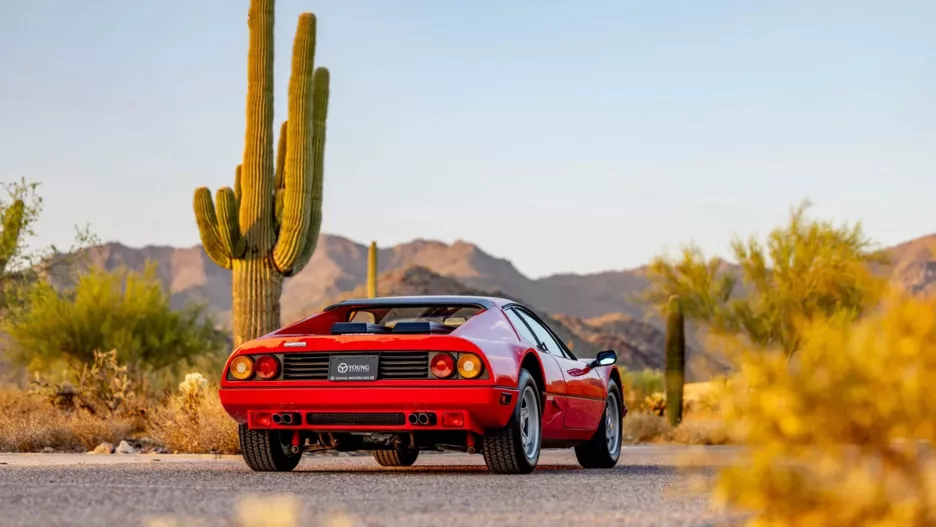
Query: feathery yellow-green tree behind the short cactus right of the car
[807,269]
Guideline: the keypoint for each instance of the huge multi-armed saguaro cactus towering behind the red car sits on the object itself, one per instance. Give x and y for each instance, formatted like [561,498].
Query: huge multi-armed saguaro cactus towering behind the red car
[267,226]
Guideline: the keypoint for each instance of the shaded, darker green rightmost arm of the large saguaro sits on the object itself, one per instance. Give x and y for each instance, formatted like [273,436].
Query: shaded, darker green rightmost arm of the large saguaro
[319,116]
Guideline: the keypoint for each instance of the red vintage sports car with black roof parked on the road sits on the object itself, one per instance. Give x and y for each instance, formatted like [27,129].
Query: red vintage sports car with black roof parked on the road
[402,374]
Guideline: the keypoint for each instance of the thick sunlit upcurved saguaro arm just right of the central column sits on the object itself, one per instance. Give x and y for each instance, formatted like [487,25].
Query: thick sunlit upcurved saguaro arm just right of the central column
[294,225]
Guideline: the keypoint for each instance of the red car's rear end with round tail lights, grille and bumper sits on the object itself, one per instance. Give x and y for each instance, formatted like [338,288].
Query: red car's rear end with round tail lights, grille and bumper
[331,382]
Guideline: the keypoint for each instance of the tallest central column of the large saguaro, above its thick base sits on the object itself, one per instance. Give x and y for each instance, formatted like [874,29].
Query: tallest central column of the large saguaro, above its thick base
[256,210]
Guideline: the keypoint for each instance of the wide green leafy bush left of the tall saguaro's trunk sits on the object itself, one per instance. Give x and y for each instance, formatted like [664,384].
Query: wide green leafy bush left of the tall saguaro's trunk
[122,310]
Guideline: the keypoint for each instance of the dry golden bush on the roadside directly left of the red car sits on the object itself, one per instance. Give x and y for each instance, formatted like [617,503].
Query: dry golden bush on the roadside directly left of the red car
[193,420]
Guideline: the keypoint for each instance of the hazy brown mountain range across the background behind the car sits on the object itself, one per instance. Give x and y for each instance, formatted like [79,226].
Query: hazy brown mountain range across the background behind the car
[591,311]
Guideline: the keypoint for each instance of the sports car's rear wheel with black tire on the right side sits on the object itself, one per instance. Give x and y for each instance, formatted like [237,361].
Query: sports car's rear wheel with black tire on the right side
[504,449]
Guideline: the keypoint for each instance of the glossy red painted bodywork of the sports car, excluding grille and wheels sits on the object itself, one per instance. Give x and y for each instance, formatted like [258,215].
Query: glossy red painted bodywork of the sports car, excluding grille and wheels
[574,398]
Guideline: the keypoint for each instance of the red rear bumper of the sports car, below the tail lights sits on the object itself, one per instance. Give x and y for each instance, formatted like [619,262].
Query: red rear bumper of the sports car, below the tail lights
[481,407]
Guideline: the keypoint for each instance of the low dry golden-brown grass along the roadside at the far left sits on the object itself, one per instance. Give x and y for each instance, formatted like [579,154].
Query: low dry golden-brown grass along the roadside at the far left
[29,424]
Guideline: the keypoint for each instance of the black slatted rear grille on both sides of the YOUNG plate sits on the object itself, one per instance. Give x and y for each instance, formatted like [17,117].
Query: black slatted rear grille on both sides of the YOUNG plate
[391,365]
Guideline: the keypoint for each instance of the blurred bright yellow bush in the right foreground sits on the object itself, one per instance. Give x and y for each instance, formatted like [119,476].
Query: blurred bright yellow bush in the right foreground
[843,433]
